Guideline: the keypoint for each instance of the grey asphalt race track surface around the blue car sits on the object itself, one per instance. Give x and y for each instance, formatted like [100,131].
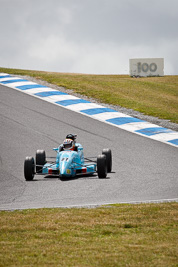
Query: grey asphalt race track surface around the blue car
[143,169]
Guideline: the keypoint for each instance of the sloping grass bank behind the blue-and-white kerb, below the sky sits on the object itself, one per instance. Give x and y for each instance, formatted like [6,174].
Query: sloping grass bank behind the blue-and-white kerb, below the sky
[154,96]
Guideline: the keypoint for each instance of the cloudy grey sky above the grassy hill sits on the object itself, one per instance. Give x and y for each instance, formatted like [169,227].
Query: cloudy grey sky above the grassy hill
[88,36]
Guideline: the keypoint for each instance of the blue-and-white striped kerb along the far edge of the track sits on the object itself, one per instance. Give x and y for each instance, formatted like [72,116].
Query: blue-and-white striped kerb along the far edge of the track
[92,110]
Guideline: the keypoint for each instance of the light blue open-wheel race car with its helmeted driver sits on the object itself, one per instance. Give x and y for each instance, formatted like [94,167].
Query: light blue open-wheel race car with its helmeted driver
[68,163]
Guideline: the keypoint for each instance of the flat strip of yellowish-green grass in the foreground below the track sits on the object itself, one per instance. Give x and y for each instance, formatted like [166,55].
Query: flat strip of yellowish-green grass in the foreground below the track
[117,235]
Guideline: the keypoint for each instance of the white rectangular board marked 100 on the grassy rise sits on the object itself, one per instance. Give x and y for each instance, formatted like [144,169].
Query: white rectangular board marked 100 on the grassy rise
[145,67]
